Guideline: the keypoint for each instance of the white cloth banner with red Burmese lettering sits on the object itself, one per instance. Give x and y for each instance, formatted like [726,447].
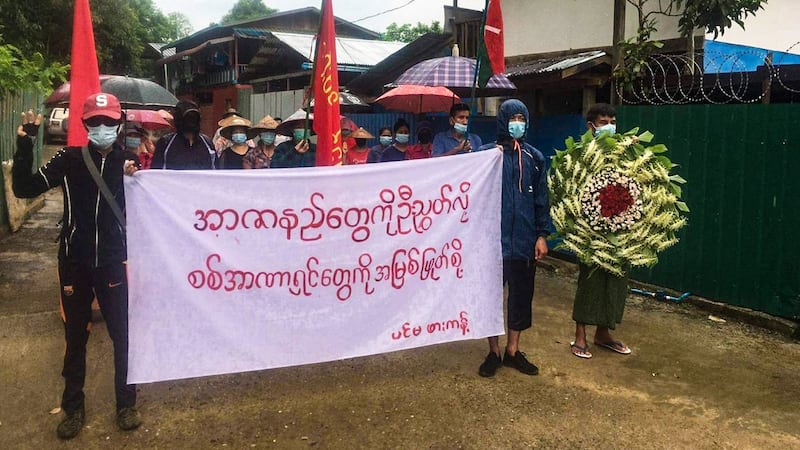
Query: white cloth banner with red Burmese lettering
[232,271]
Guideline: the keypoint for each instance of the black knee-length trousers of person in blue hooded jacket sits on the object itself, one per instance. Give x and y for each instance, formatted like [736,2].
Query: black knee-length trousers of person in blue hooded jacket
[519,275]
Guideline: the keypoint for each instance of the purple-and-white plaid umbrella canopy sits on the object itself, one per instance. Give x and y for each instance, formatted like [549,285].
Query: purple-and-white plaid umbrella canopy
[455,72]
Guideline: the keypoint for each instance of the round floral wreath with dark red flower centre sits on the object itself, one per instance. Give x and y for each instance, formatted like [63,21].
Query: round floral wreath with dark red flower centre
[613,200]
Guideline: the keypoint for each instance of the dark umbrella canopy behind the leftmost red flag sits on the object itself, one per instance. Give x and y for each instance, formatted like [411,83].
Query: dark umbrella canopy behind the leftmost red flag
[131,92]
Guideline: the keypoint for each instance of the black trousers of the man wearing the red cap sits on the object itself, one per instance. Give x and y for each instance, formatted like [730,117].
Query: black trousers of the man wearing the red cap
[80,283]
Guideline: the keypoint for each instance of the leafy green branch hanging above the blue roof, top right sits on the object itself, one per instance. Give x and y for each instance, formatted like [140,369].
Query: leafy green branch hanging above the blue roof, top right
[715,15]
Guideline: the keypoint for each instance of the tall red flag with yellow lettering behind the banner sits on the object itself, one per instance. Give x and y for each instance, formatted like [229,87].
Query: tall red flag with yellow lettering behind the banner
[326,93]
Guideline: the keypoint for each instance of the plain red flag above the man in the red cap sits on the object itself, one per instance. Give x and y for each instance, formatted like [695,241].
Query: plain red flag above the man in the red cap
[84,78]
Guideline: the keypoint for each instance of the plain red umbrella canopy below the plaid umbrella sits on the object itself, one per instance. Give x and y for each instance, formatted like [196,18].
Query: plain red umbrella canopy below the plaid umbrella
[419,99]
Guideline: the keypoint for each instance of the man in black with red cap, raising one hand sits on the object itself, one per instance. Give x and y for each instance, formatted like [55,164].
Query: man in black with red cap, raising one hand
[92,250]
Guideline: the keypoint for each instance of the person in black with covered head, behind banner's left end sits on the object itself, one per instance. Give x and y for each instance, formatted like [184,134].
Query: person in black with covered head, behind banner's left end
[187,148]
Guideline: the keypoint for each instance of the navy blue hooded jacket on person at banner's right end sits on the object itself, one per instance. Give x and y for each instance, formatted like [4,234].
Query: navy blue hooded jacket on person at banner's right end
[525,211]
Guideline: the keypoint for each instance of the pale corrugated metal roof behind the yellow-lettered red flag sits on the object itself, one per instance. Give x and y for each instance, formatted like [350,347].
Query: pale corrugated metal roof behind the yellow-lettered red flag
[357,52]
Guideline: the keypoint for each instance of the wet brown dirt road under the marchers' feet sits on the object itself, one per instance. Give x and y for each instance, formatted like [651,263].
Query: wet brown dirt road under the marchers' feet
[690,383]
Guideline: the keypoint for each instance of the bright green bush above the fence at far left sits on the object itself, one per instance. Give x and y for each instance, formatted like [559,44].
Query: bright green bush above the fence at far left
[18,73]
